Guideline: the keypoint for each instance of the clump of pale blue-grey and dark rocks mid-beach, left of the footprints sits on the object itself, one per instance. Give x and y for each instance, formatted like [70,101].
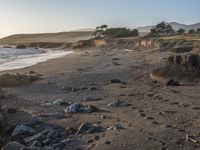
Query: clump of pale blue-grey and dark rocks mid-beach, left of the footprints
[79,108]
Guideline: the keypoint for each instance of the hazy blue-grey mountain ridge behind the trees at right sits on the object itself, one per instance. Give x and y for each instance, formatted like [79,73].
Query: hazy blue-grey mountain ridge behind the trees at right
[175,25]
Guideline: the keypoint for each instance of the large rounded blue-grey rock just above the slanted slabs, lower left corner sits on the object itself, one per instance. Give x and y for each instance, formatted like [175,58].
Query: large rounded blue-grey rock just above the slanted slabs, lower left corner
[22,130]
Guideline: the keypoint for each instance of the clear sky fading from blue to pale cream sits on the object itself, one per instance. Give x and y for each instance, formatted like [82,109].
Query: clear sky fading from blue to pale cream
[40,16]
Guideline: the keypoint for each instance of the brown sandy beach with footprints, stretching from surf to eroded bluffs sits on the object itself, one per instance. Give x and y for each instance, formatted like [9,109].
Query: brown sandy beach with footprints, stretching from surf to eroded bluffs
[153,116]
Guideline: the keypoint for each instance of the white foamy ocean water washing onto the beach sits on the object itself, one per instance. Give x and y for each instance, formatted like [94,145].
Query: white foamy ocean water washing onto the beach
[11,58]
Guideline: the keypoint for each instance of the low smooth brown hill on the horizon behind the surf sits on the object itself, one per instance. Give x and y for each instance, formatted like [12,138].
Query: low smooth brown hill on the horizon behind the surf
[61,37]
